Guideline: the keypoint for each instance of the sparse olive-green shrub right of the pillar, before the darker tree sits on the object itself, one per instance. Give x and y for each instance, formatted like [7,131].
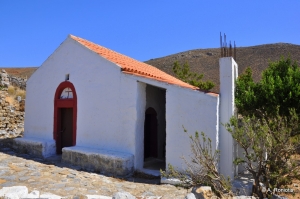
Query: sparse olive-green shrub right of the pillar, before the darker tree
[268,148]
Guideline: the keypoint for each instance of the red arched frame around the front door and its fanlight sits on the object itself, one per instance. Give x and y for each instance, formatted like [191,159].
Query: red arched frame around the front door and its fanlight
[64,103]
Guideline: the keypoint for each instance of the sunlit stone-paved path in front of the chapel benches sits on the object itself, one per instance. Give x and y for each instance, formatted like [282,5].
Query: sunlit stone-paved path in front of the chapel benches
[66,180]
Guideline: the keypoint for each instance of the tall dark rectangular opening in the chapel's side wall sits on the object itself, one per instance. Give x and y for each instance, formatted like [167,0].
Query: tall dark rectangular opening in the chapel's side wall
[155,129]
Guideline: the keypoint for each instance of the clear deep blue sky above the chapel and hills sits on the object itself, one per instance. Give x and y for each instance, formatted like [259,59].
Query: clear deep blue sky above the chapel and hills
[31,30]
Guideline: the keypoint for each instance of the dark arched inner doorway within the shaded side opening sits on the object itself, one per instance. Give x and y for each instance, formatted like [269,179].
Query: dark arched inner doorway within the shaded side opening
[150,133]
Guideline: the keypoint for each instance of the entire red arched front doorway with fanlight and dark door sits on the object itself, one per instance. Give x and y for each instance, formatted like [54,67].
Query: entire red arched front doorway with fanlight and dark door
[65,116]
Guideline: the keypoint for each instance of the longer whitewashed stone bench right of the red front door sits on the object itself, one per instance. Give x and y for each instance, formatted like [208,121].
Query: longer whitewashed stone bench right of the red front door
[99,160]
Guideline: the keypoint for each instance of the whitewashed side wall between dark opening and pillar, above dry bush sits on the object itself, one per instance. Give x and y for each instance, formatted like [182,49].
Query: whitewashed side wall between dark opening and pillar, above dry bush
[194,110]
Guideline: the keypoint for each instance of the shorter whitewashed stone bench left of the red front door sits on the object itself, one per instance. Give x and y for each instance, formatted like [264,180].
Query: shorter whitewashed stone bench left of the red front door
[35,146]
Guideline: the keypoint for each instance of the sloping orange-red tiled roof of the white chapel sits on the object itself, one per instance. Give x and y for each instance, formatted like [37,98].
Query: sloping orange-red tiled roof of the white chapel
[132,66]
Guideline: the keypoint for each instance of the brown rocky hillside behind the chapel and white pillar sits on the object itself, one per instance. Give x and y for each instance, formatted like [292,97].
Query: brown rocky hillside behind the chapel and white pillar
[206,61]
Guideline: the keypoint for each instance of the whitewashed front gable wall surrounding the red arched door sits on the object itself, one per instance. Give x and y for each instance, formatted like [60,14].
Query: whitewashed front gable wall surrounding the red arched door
[106,99]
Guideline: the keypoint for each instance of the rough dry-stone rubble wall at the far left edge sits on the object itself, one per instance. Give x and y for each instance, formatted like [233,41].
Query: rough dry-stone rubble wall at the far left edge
[11,119]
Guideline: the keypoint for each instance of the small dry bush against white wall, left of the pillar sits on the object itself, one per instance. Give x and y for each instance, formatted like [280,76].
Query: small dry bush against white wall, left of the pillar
[202,169]
